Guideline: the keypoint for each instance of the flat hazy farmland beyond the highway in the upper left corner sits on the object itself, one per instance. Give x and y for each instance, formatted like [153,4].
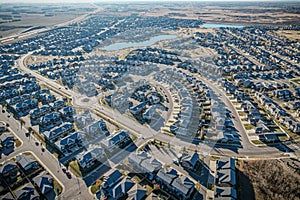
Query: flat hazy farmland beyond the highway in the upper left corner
[16,19]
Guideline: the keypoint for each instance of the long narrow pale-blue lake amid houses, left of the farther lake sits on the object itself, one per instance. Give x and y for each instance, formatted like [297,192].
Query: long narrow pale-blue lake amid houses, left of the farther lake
[123,45]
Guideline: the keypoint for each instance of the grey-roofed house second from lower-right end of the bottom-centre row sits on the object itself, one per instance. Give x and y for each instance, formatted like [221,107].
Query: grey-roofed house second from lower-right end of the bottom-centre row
[165,177]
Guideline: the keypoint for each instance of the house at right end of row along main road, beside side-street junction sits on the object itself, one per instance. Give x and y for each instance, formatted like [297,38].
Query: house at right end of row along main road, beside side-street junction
[118,140]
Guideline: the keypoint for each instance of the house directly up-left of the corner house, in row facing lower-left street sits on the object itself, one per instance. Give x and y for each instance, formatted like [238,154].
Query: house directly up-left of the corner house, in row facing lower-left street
[67,143]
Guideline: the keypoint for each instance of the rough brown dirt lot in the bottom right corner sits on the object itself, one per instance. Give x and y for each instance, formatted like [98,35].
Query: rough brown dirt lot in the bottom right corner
[268,179]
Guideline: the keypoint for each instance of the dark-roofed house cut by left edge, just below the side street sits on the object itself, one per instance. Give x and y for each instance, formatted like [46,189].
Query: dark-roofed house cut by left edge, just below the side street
[9,171]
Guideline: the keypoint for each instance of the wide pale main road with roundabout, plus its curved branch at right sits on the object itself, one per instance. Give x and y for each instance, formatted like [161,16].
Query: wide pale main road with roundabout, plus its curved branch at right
[124,122]
